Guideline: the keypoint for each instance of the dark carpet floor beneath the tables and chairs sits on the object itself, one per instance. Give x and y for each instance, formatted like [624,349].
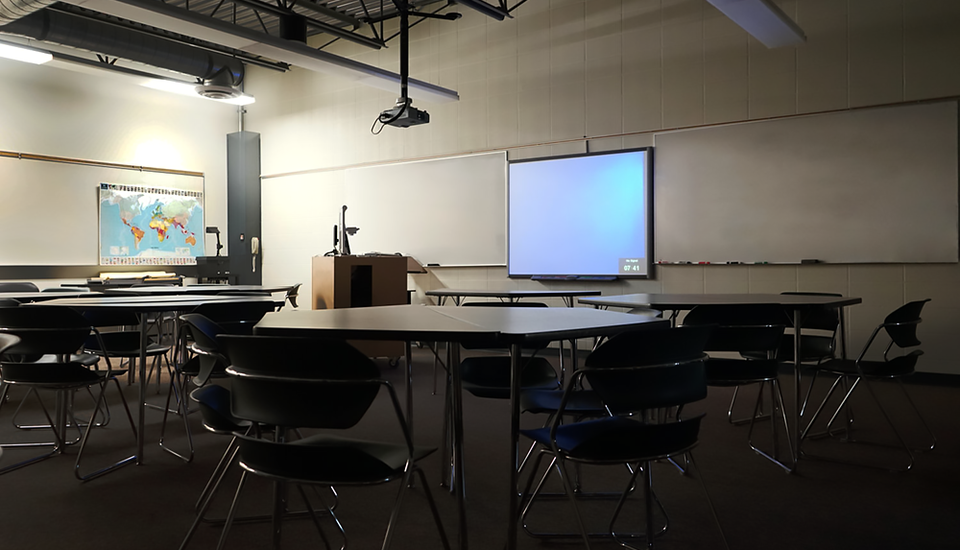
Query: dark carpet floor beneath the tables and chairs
[824,505]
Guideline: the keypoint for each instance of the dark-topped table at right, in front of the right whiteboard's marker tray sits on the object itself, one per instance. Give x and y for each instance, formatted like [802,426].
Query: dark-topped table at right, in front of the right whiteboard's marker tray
[794,305]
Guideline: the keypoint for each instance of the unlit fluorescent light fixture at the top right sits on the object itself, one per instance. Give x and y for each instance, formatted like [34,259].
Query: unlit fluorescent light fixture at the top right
[763,20]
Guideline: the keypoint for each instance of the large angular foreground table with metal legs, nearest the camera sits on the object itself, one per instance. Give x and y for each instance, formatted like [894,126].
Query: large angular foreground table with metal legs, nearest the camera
[510,326]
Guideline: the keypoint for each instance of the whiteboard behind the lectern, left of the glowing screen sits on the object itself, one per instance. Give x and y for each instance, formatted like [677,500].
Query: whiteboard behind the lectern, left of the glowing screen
[449,211]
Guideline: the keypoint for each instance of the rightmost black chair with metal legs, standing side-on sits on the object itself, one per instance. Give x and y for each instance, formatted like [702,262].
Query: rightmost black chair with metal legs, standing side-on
[901,327]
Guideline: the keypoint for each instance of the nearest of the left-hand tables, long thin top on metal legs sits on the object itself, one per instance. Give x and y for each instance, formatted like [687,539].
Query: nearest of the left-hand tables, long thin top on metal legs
[143,306]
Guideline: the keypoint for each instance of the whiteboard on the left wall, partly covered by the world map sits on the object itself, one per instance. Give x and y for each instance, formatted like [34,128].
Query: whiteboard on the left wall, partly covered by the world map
[49,212]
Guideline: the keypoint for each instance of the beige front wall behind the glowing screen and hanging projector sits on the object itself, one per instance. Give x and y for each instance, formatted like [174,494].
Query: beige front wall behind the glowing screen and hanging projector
[614,72]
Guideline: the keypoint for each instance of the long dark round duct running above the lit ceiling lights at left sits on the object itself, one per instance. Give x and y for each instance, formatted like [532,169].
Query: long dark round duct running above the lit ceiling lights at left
[104,38]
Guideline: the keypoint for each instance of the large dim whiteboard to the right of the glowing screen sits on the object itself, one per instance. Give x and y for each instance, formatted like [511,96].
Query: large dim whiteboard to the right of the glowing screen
[877,185]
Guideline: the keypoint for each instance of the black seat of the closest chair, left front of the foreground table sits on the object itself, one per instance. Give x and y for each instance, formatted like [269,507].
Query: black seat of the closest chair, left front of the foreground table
[327,459]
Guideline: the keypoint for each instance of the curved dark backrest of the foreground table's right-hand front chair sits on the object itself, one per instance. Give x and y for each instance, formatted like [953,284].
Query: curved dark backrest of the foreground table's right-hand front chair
[650,368]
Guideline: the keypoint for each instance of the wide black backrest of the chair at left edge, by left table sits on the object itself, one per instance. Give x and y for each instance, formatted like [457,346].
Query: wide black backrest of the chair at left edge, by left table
[44,330]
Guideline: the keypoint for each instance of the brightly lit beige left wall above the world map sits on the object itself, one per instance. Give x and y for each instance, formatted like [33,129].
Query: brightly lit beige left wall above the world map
[52,111]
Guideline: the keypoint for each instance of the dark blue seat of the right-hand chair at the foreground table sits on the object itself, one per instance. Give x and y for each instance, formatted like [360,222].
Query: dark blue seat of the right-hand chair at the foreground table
[621,439]
